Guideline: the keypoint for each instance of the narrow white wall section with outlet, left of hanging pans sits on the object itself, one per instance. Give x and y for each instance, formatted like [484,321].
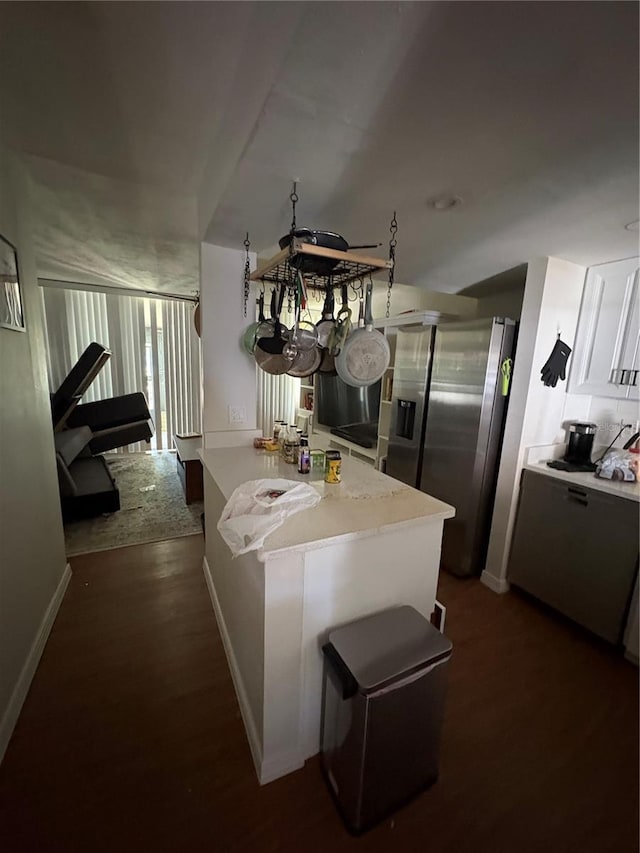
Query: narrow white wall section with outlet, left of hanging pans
[229,374]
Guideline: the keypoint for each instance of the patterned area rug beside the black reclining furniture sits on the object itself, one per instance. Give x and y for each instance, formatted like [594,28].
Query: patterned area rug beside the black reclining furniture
[152,506]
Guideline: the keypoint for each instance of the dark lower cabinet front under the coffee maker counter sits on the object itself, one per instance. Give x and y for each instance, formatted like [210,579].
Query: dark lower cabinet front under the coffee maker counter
[576,549]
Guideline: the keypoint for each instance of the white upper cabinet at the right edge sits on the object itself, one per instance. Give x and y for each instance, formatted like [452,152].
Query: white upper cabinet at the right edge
[606,361]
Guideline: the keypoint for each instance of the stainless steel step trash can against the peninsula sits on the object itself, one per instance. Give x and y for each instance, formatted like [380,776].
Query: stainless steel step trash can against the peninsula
[383,703]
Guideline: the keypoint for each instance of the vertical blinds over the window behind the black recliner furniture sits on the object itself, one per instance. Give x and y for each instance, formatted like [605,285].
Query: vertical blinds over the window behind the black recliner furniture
[154,349]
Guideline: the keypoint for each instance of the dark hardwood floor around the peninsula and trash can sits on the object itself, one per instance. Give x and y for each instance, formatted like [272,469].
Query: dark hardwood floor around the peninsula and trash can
[131,738]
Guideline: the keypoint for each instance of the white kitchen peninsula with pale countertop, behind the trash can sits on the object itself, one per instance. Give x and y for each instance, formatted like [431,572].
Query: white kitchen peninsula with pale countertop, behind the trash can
[370,543]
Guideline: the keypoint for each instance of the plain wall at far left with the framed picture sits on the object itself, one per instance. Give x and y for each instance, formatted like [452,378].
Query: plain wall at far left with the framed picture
[32,556]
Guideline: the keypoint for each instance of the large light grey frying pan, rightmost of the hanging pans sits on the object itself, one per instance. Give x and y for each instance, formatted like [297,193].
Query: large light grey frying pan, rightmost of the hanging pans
[365,355]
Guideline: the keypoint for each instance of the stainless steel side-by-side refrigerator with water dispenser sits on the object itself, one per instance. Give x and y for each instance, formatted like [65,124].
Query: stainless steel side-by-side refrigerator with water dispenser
[447,420]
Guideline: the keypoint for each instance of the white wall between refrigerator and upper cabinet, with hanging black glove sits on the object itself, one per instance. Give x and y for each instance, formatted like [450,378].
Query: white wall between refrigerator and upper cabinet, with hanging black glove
[553,292]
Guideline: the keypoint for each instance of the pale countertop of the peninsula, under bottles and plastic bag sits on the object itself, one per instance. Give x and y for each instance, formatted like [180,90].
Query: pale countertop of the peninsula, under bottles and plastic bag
[364,503]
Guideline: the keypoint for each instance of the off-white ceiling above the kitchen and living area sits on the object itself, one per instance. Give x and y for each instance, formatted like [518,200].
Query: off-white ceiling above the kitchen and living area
[149,126]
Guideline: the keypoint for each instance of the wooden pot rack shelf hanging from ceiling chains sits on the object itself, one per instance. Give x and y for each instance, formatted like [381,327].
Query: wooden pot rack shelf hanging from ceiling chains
[351,266]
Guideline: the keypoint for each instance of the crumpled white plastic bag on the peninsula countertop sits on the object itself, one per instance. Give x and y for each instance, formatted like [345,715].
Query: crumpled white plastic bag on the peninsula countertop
[260,506]
